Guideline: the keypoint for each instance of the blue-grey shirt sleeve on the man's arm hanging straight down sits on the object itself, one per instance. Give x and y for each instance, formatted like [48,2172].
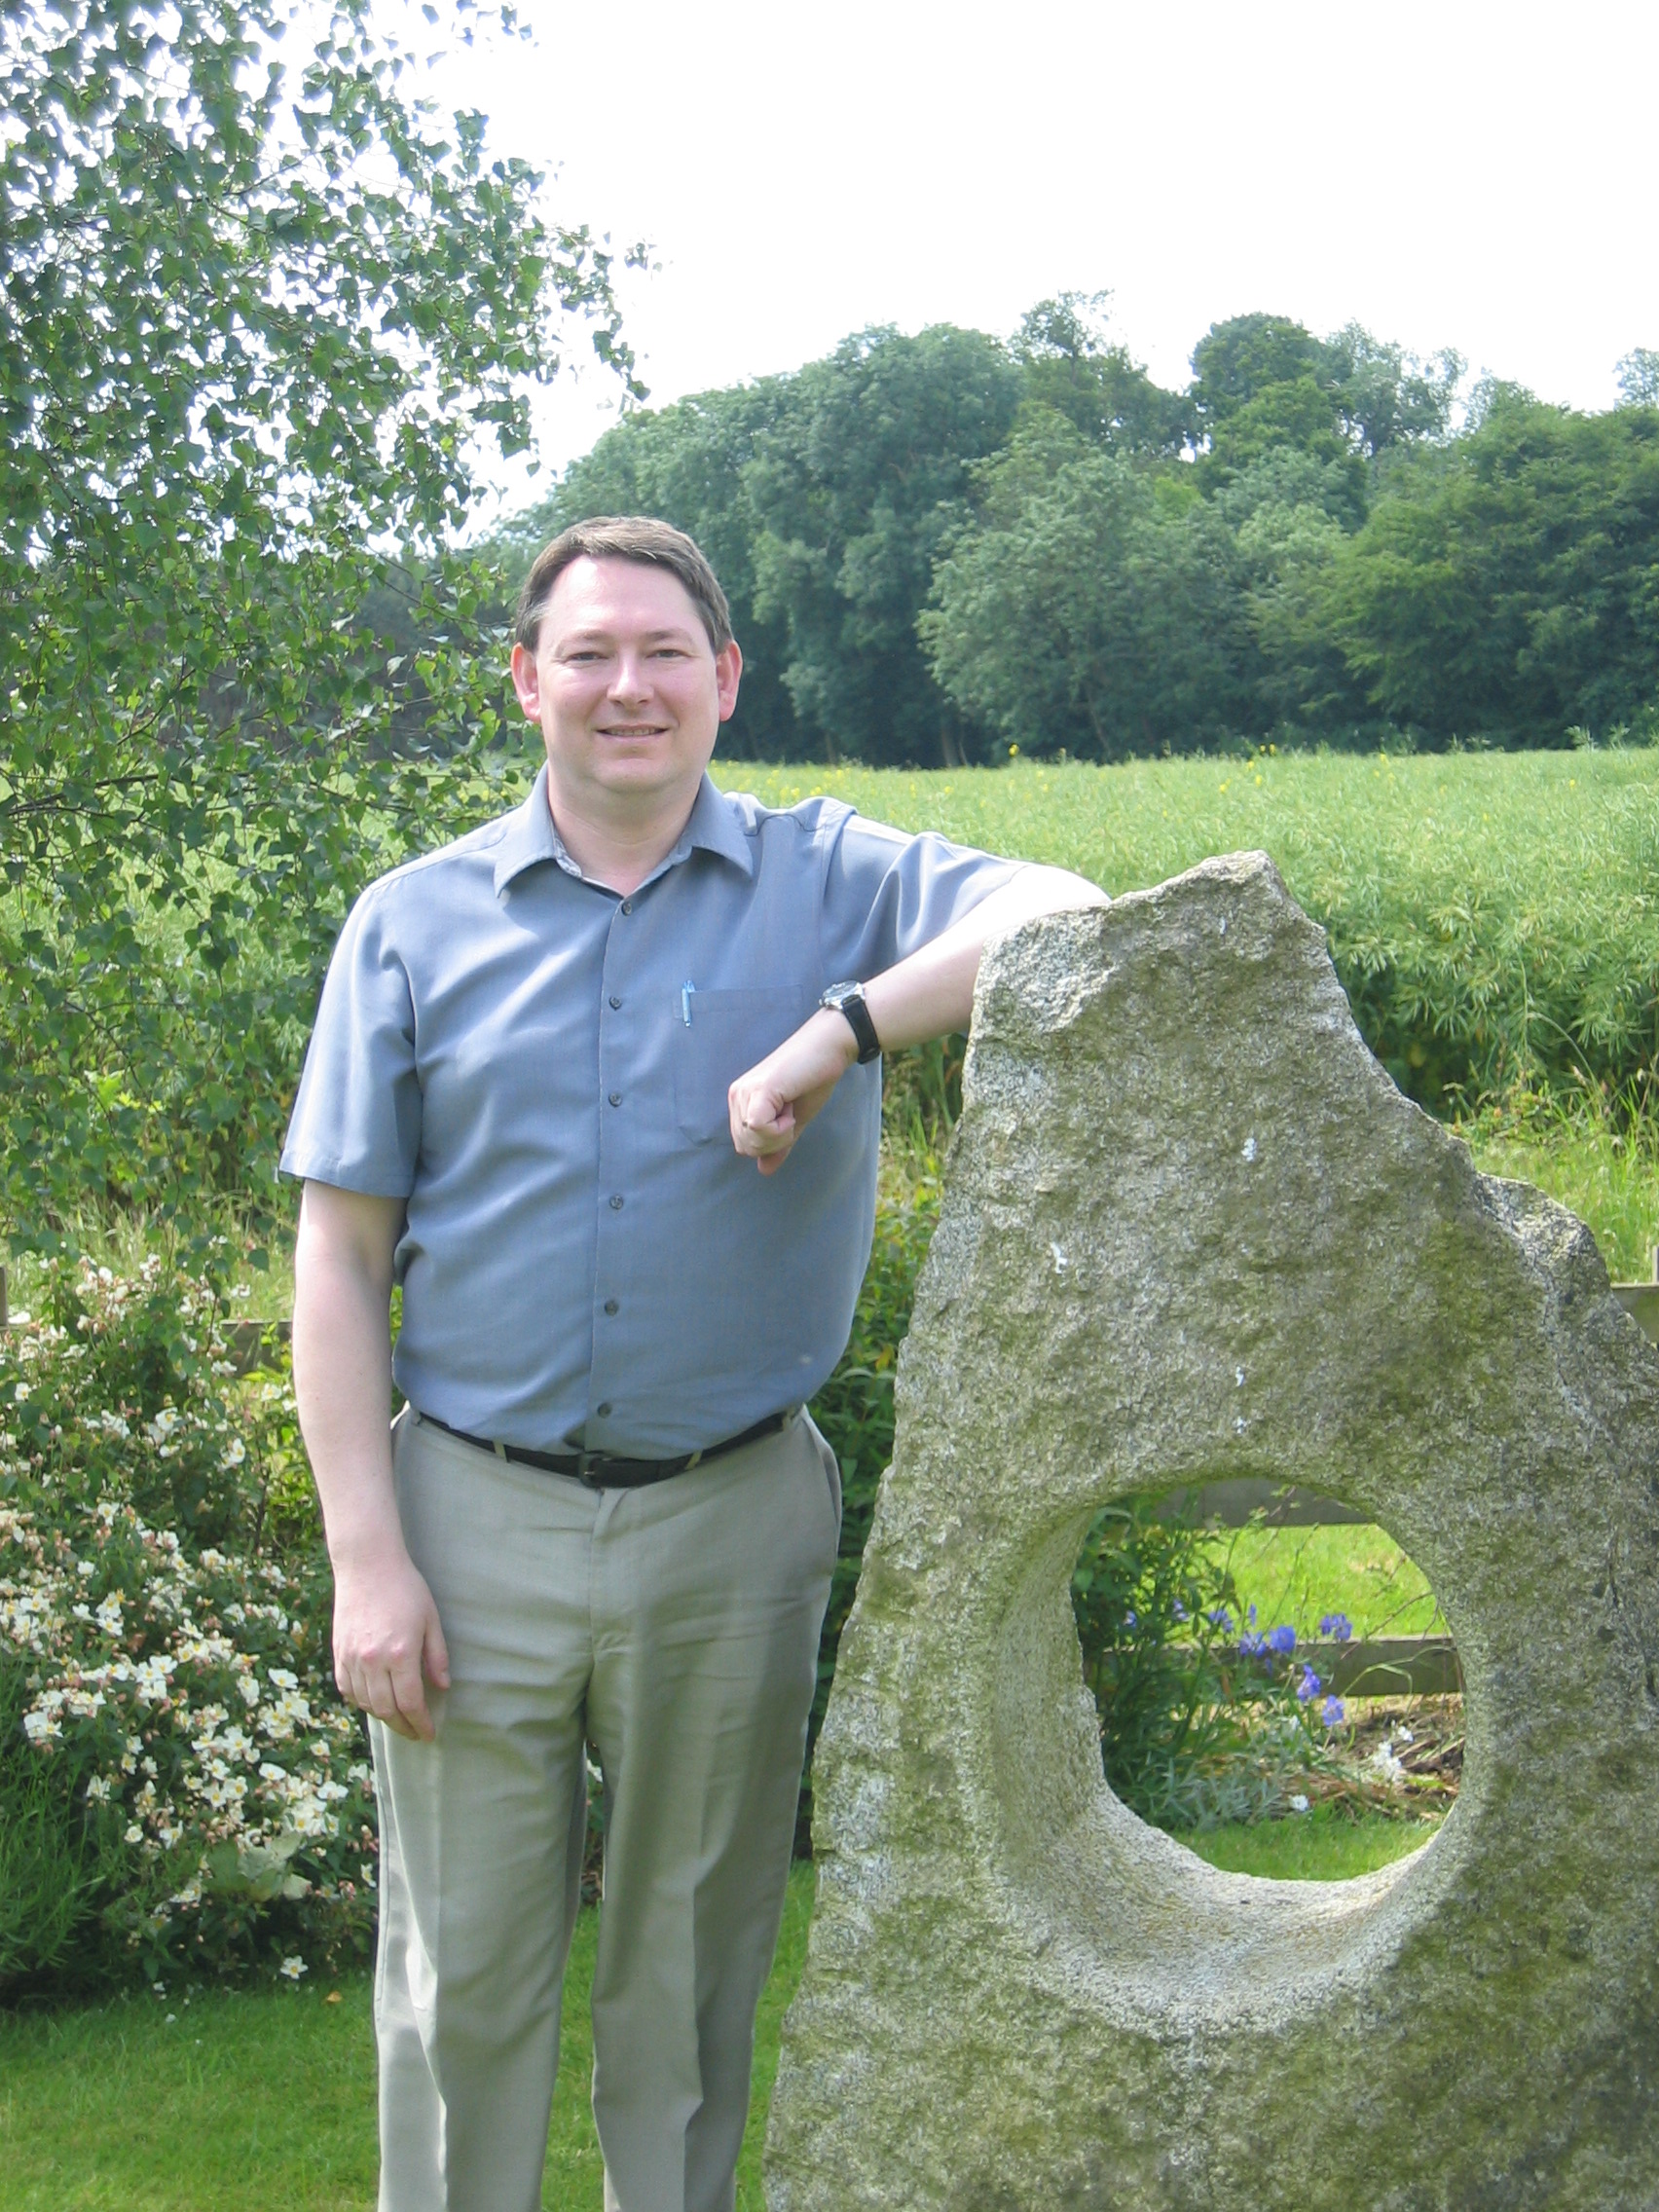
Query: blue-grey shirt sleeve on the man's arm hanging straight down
[357,1118]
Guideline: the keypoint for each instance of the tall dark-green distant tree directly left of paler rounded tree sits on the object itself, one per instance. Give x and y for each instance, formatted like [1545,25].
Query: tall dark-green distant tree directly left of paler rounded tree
[855,488]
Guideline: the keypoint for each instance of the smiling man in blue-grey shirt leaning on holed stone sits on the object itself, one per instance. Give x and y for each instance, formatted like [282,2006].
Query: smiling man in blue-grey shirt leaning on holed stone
[576,1087]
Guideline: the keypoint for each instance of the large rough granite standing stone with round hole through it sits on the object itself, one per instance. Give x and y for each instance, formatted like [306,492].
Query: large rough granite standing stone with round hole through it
[1193,1233]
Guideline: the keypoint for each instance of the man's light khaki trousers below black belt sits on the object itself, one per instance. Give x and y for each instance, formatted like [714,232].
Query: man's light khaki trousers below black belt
[676,1631]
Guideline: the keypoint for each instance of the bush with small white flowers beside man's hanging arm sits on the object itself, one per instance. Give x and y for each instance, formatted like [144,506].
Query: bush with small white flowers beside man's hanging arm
[180,1786]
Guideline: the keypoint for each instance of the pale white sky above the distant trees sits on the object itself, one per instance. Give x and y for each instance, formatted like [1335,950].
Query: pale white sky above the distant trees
[1470,176]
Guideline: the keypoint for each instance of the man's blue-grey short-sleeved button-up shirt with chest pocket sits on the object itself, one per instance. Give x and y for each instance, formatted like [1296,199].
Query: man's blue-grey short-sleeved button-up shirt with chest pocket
[541,1070]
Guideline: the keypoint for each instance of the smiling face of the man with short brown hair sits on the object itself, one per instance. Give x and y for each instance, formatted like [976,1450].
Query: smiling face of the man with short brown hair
[625,687]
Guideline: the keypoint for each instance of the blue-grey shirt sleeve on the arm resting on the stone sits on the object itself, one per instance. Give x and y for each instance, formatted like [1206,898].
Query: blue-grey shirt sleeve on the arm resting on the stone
[888,895]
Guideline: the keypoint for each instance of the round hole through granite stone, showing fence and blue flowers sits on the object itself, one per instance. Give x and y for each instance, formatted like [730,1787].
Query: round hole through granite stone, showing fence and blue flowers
[1275,1680]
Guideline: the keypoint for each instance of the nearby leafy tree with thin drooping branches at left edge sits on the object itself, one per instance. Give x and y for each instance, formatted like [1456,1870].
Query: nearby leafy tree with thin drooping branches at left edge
[258,326]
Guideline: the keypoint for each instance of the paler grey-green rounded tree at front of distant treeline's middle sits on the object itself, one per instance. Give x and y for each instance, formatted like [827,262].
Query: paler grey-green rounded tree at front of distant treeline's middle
[1092,607]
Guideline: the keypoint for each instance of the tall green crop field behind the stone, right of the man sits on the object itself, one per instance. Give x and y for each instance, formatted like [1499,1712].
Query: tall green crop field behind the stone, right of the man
[1494,917]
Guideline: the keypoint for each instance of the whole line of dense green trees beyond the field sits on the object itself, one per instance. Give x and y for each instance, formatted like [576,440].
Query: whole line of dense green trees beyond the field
[941,545]
